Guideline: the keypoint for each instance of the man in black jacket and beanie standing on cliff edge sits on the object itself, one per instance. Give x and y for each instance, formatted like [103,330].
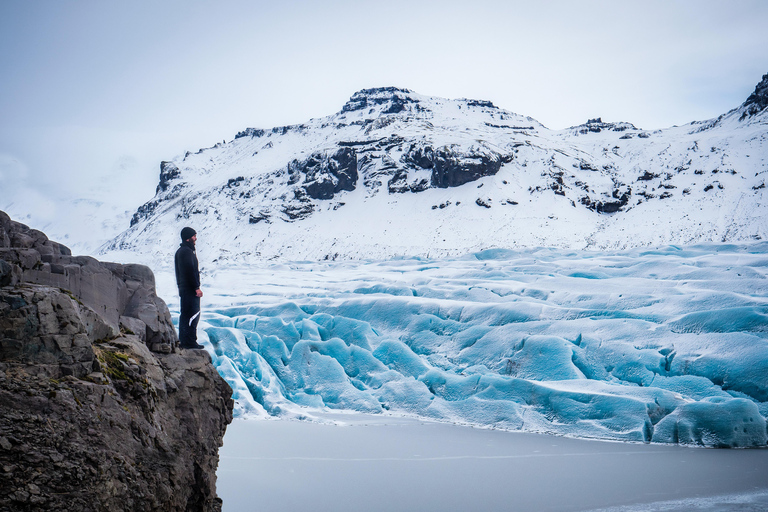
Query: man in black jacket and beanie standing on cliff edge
[188,280]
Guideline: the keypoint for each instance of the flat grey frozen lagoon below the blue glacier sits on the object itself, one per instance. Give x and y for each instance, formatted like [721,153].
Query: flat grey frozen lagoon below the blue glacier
[378,463]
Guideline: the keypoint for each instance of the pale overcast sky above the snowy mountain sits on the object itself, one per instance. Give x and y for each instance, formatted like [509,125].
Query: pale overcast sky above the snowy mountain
[94,91]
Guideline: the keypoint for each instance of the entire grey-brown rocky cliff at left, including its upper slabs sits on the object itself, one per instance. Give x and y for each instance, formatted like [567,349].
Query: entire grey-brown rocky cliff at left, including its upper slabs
[99,409]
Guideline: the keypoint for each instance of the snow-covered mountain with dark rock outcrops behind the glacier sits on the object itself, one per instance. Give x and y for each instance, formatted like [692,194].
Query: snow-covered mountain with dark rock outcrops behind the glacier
[396,173]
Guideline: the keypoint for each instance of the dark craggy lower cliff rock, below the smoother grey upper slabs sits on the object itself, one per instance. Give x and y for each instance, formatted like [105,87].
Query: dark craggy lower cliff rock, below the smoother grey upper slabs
[102,426]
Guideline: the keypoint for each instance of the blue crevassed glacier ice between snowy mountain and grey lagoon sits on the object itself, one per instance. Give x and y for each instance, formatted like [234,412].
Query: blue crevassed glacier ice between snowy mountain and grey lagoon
[667,345]
